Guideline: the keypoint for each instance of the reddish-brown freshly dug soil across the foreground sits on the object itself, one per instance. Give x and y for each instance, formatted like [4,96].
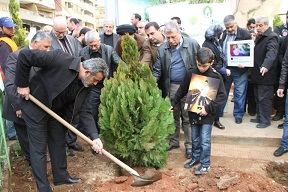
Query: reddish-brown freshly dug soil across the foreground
[98,173]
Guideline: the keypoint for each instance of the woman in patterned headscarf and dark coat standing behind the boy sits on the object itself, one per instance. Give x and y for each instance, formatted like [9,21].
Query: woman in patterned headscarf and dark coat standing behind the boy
[212,36]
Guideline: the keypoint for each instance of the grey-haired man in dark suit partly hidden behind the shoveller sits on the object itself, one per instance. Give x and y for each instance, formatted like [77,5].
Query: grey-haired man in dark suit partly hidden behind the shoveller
[11,109]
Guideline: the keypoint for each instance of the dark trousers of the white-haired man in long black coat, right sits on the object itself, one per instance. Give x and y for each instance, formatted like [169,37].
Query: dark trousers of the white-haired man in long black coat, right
[263,98]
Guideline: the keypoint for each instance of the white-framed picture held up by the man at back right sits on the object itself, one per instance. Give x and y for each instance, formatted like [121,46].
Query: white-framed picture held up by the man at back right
[240,52]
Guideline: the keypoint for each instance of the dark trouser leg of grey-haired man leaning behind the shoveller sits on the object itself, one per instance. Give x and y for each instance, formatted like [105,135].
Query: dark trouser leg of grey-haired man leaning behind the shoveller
[22,135]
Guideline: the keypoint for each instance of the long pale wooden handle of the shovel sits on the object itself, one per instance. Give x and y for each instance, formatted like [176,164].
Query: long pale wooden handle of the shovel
[78,133]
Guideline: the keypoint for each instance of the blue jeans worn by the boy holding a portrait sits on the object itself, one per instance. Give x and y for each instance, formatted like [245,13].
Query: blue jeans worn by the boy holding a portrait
[201,143]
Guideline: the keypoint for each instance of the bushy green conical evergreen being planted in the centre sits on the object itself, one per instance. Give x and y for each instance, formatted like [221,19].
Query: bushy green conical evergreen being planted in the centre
[135,120]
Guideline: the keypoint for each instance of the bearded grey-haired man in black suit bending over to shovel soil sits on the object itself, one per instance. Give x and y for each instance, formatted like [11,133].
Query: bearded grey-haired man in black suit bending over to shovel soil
[63,85]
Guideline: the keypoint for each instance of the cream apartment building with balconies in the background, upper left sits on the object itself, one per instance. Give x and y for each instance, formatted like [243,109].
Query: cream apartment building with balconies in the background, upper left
[38,13]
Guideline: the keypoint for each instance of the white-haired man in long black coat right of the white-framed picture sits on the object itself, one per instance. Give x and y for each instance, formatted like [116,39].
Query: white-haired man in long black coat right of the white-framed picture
[263,74]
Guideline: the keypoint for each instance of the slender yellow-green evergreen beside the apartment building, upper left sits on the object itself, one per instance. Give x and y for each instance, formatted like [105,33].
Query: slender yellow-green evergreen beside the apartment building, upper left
[20,32]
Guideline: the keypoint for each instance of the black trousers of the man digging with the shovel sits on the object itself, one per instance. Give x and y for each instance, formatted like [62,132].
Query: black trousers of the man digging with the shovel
[47,131]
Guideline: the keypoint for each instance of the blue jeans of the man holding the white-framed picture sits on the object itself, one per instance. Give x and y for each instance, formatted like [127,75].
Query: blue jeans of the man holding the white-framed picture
[240,92]
